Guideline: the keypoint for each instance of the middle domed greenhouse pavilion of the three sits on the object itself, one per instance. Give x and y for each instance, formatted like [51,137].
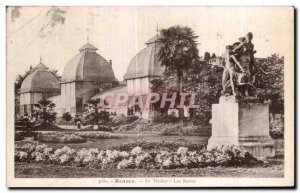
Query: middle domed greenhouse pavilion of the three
[83,77]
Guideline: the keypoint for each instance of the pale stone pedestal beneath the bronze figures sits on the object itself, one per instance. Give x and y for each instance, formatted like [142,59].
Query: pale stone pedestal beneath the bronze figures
[243,124]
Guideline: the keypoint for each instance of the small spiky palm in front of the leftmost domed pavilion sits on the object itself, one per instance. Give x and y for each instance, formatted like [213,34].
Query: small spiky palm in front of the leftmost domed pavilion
[45,110]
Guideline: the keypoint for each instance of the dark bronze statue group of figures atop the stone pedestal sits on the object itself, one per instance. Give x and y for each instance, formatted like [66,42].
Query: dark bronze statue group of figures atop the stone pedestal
[240,68]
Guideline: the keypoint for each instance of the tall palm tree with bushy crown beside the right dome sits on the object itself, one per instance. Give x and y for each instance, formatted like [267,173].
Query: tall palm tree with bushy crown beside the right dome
[178,52]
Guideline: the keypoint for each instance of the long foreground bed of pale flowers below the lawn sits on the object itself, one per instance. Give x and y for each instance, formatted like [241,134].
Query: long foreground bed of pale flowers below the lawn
[136,158]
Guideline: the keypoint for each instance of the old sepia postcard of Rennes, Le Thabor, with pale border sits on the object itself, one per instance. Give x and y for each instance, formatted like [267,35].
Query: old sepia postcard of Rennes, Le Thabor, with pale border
[150,96]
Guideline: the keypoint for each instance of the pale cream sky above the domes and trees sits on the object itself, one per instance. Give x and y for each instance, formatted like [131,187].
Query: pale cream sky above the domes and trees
[56,33]
